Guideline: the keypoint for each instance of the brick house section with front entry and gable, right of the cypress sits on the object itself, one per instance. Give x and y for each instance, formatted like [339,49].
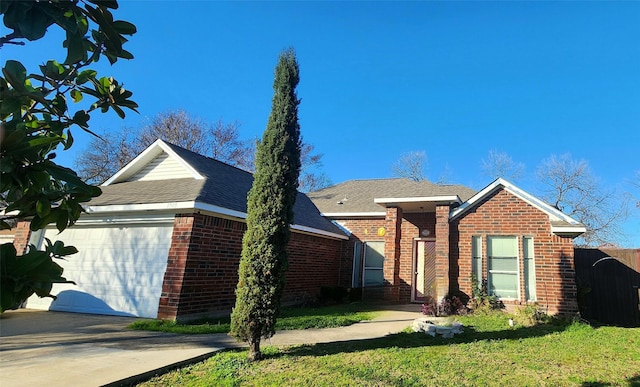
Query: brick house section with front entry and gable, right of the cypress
[410,240]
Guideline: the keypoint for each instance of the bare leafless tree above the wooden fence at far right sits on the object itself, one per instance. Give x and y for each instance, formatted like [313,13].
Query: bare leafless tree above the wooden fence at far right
[570,186]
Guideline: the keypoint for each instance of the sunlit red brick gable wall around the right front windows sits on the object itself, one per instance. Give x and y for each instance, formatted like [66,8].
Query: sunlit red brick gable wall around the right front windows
[505,214]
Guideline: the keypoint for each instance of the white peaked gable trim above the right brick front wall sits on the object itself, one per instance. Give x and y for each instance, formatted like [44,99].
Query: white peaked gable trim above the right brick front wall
[561,223]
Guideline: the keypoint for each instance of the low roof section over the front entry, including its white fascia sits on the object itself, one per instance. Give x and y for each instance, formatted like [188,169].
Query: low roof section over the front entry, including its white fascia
[370,197]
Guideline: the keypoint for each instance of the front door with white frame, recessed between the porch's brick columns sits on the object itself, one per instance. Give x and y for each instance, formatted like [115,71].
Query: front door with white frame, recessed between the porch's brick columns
[424,264]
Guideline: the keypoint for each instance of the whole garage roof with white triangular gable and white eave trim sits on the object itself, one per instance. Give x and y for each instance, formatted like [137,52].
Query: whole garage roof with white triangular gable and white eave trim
[168,177]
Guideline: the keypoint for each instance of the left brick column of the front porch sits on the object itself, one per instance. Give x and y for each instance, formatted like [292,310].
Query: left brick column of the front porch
[392,237]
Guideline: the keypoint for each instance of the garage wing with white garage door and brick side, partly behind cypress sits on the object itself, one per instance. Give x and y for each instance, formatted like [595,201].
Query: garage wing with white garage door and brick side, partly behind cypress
[164,240]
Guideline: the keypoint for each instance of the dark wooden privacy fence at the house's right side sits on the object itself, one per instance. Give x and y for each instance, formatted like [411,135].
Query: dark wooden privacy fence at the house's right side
[608,283]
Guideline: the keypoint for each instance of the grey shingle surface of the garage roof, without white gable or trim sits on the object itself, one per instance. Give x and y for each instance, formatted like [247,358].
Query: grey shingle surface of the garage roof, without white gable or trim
[223,186]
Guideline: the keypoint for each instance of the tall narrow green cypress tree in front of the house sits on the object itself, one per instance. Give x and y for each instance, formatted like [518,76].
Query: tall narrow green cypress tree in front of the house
[270,203]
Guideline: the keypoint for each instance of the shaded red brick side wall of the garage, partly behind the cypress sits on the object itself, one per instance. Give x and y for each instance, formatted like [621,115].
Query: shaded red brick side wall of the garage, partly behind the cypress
[202,269]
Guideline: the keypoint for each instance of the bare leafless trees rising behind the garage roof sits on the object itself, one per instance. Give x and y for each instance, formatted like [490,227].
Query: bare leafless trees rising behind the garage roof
[107,154]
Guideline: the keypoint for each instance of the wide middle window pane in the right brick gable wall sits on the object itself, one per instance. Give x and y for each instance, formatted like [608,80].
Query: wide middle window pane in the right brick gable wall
[502,266]
